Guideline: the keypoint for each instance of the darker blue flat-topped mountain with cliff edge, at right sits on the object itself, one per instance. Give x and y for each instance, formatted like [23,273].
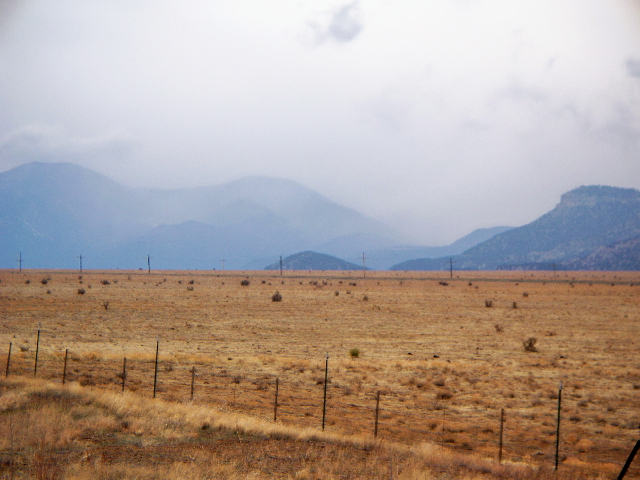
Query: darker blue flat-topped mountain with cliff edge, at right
[593,227]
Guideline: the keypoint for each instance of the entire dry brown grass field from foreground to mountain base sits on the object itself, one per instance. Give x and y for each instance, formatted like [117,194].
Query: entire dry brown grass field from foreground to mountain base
[444,362]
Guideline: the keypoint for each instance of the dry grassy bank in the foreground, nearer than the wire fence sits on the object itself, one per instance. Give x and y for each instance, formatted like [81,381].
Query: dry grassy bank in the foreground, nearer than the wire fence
[54,431]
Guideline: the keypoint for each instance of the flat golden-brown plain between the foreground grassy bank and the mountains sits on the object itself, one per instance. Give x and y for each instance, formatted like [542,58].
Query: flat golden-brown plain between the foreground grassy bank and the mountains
[444,362]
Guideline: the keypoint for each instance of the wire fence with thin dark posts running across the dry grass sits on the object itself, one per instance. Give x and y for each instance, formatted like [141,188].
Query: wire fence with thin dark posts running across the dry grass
[473,428]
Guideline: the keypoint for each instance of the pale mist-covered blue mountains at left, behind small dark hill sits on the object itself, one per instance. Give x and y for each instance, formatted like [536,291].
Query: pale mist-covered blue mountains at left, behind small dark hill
[54,212]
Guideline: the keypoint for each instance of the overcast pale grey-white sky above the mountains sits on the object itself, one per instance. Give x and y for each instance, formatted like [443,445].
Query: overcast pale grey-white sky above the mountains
[434,116]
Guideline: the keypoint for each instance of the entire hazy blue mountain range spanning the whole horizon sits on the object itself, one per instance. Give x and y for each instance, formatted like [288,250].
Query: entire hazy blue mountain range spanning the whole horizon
[54,212]
